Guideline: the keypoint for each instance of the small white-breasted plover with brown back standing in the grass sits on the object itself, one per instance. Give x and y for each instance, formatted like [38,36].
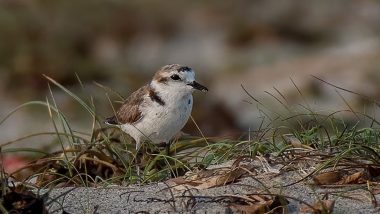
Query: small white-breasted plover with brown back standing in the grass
[158,111]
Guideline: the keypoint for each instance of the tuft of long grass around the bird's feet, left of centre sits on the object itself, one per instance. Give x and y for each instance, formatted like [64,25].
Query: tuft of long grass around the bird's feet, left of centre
[105,155]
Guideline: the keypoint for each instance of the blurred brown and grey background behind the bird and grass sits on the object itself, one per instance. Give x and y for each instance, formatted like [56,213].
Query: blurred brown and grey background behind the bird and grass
[263,45]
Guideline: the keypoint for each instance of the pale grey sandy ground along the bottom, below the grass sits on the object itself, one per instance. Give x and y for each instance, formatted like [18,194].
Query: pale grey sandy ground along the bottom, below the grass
[160,198]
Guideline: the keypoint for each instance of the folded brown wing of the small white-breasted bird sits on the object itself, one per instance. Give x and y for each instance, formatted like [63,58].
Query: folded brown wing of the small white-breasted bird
[129,112]
